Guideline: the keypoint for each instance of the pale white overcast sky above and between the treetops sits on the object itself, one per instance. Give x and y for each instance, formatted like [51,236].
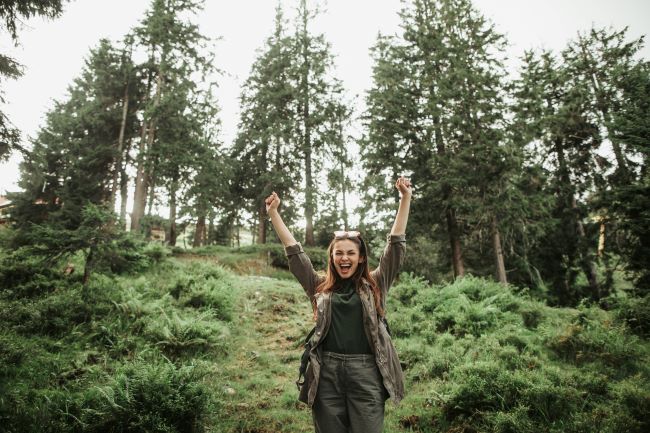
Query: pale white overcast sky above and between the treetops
[53,52]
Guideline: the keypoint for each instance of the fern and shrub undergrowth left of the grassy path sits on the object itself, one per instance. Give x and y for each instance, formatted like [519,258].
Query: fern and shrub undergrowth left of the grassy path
[126,359]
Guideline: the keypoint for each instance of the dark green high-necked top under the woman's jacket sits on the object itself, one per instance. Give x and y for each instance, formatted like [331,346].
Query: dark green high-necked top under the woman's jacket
[346,333]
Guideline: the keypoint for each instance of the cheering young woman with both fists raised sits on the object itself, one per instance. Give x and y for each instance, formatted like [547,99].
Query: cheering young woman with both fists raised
[353,366]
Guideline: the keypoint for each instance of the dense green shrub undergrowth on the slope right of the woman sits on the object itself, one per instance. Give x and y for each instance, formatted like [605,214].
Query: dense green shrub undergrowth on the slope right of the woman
[484,358]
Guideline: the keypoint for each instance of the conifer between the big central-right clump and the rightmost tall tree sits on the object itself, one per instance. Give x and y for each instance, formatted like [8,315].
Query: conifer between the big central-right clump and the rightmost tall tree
[566,137]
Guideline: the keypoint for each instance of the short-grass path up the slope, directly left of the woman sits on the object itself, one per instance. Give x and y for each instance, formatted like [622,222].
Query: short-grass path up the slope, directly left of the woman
[258,393]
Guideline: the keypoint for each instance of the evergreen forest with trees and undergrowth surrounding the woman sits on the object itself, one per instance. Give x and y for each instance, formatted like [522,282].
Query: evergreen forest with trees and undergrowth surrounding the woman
[523,303]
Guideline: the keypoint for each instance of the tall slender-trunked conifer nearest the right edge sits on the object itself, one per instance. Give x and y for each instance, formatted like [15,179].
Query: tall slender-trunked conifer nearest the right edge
[601,61]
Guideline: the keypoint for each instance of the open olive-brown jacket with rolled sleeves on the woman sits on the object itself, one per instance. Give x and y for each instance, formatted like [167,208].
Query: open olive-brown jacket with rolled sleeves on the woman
[378,338]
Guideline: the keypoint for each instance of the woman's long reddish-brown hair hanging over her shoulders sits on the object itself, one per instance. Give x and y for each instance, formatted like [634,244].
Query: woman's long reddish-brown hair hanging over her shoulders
[332,278]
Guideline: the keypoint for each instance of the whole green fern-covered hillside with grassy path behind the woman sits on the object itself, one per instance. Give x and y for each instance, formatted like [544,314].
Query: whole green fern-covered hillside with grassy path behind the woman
[185,344]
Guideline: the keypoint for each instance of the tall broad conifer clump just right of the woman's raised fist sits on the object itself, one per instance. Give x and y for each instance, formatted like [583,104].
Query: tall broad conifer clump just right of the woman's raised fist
[436,112]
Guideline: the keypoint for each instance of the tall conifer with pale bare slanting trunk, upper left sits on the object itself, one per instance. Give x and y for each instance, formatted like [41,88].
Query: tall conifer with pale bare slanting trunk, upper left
[174,45]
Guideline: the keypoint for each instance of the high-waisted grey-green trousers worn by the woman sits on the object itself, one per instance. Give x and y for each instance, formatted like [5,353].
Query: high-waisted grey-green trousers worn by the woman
[350,396]
